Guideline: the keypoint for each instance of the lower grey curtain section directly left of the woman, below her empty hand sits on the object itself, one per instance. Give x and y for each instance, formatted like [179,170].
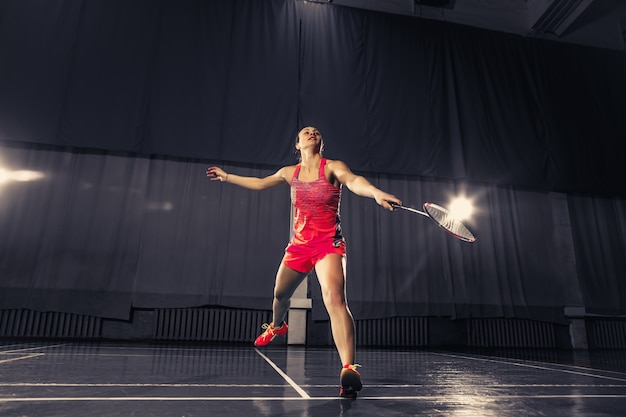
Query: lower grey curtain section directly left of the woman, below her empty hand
[205,242]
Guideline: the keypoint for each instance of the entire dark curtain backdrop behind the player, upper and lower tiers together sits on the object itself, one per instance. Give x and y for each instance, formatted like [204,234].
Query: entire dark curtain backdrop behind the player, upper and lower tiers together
[120,106]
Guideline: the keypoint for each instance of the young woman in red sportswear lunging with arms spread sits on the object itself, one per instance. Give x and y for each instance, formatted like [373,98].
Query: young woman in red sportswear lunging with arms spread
[317,242]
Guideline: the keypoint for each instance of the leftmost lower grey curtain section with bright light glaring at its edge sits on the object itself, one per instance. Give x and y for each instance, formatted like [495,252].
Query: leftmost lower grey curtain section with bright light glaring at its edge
[70,237]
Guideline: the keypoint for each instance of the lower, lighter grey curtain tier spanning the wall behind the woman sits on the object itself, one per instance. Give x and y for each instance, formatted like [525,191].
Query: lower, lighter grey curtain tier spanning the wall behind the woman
[99,233]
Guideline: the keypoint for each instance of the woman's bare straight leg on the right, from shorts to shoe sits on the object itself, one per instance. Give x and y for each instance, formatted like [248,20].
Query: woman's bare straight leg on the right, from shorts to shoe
[331,275]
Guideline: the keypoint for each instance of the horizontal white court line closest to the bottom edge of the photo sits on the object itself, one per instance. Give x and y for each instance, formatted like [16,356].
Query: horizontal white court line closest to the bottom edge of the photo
[362,398]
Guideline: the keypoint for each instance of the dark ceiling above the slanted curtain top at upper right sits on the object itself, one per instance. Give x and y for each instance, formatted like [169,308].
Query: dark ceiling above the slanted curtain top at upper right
[597,23]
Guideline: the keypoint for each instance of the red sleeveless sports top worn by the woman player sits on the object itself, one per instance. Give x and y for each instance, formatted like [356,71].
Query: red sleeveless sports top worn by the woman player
[316,209]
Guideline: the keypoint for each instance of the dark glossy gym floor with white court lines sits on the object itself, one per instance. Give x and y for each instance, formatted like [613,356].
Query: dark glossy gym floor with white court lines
[39,379]
